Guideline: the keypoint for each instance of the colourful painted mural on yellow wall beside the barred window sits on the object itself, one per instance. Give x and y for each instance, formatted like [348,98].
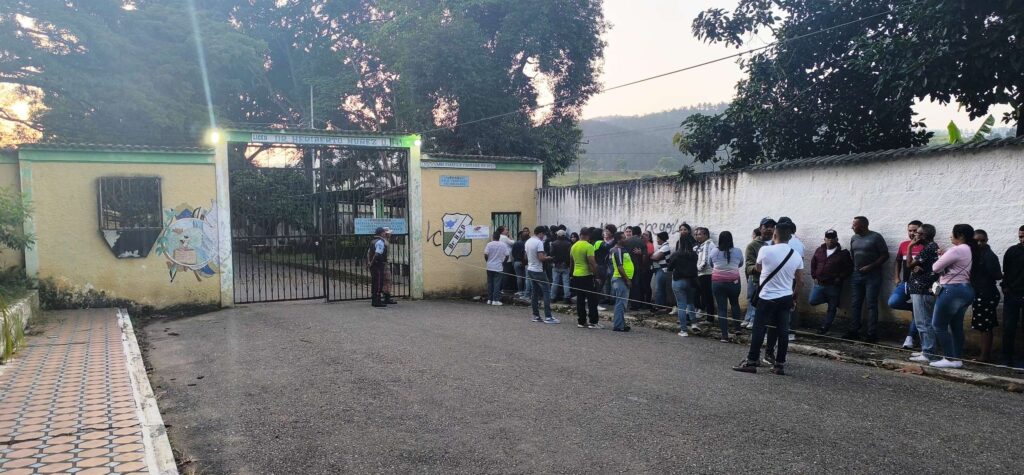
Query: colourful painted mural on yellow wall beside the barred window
[190,241]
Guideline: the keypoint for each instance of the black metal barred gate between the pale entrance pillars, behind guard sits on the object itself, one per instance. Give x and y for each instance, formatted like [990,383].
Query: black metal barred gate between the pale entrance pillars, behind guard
[294,227]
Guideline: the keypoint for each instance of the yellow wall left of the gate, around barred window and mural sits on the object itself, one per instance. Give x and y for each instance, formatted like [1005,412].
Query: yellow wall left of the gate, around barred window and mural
[71,249]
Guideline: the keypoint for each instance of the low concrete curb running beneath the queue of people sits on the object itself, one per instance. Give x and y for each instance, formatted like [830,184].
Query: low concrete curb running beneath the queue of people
[961,376]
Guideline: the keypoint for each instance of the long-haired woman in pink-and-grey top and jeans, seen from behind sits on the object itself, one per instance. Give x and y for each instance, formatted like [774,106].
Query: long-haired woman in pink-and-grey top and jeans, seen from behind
[727,261]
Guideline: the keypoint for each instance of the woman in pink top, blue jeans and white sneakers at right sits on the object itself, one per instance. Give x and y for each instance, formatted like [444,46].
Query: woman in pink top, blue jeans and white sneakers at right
[955,270]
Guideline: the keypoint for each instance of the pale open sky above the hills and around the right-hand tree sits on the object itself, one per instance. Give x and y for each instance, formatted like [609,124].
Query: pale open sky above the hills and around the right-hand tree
[650,37]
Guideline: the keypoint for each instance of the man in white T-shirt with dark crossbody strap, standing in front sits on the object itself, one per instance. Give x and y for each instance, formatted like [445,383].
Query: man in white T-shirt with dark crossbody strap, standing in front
[782,272]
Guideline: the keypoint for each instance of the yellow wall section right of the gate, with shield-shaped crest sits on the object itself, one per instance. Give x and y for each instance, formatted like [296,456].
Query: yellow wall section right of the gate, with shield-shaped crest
[489,191]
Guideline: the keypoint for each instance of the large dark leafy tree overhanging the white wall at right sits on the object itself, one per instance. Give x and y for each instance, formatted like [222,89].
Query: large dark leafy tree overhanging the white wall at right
[852,88]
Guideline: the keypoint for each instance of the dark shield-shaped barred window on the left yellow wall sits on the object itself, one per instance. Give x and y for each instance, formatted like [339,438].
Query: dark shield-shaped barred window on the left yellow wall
[131,214]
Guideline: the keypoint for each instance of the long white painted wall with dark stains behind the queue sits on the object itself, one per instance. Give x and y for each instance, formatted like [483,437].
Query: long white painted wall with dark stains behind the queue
[984,188]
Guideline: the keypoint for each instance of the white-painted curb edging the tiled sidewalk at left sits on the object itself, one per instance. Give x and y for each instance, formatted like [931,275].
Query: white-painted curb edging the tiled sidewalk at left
[159,457]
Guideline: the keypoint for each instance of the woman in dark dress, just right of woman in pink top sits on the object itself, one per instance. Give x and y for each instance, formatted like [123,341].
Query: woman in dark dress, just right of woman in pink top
[987,297]
